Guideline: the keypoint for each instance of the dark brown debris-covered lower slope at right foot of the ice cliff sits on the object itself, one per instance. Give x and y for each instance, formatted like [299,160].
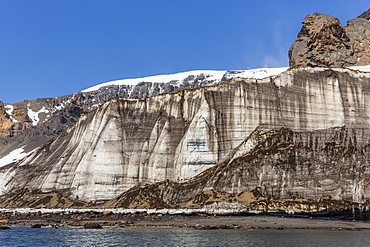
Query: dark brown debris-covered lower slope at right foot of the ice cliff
[289,171]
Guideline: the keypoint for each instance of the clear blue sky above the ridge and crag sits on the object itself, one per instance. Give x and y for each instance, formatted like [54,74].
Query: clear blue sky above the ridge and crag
[50,48]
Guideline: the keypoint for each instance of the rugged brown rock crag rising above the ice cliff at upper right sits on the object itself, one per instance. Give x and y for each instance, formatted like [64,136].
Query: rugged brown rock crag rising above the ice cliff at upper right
[324,42]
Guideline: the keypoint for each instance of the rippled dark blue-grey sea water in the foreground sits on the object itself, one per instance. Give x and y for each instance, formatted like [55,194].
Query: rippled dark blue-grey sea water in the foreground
[115,236]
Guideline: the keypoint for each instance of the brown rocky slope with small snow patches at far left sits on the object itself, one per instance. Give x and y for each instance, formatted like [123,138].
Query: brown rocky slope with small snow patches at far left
[29,124]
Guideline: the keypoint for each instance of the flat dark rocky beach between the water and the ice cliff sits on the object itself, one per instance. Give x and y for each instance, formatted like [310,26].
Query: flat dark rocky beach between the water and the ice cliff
[197,220]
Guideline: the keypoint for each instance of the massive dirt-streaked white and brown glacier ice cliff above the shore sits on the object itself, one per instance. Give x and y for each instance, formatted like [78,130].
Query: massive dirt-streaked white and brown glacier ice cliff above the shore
[318,119]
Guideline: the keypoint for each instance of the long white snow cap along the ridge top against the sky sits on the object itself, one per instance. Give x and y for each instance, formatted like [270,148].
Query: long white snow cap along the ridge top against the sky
[210,75]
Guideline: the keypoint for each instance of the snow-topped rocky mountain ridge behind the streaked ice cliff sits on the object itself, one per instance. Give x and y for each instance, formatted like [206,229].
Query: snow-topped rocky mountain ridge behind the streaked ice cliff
[31,123]
